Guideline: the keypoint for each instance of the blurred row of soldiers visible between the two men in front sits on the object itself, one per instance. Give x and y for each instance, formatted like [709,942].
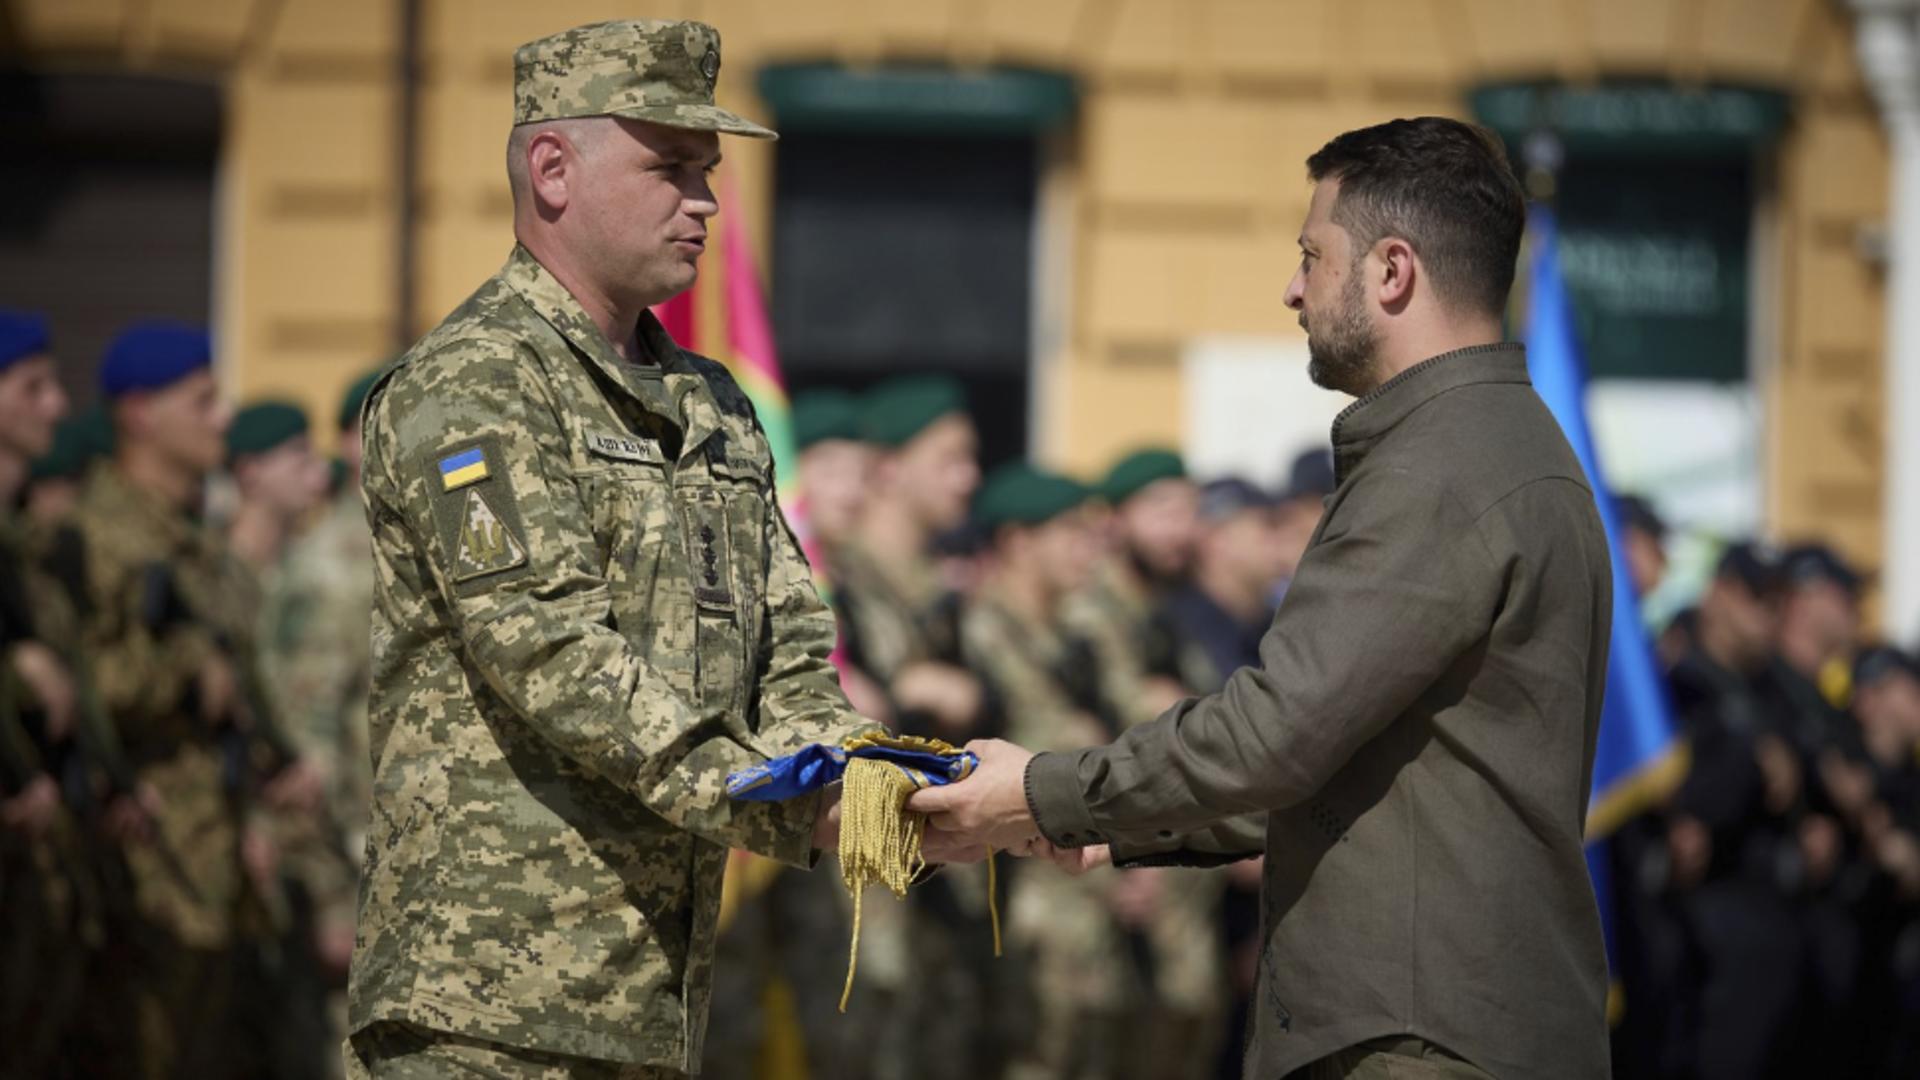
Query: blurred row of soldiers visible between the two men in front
[1032,608]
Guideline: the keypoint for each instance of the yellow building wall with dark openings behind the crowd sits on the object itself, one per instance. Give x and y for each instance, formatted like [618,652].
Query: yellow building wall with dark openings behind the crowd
[1188,170]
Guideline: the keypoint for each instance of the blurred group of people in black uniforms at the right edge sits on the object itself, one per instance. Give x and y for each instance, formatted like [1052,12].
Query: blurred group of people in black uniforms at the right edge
[1769,906]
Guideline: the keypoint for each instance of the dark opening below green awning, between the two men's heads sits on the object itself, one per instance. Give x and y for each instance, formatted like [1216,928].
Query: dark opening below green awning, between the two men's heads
[900,255]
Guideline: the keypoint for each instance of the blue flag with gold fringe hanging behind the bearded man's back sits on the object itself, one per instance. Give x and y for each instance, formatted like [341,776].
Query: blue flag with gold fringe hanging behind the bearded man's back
[1639,756]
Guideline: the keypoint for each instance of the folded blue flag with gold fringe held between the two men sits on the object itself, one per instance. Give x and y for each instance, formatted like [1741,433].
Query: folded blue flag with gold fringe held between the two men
[880,837]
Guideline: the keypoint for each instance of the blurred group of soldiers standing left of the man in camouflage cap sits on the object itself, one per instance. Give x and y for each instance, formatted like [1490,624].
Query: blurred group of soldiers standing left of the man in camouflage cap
[183,754]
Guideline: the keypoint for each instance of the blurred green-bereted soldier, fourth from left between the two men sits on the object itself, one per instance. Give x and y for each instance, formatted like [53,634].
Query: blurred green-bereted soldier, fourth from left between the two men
[1153,535]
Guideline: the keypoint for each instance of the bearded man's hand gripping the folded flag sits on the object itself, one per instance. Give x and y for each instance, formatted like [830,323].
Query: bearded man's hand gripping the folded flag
[988,810]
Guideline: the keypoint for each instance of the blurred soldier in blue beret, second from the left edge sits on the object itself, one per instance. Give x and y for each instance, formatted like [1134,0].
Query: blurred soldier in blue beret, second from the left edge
[170,635]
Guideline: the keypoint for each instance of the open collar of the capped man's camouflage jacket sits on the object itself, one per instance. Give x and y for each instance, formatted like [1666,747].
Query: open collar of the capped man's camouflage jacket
[698,410]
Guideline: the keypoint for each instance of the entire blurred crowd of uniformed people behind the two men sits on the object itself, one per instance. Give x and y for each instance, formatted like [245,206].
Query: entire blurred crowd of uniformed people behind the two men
[185,756]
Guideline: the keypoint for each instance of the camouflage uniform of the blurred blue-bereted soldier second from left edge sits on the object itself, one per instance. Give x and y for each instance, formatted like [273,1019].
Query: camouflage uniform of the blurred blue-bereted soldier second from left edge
[147,683]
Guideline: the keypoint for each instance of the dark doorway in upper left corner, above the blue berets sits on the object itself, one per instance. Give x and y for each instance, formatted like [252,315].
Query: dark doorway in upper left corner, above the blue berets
[107,207]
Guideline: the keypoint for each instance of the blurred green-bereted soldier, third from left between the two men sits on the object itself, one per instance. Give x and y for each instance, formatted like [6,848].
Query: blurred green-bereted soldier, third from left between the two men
[1084,970]
